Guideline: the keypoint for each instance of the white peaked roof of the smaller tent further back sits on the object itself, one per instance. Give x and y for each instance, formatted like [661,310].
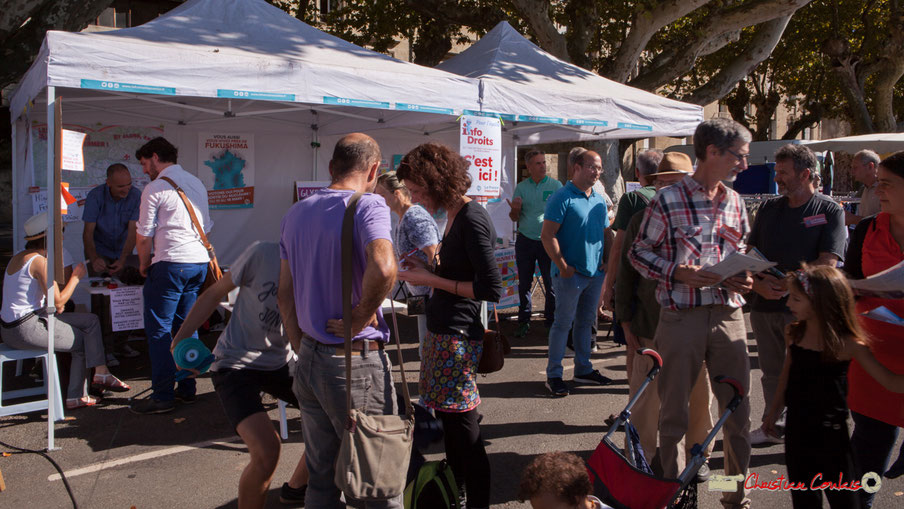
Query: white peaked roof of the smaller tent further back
[527,84]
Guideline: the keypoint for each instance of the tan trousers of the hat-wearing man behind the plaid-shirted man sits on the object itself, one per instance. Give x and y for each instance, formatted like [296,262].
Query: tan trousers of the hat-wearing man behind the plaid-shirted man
[645,414]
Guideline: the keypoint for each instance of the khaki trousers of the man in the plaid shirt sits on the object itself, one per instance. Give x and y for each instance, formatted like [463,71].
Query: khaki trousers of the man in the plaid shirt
[685,339]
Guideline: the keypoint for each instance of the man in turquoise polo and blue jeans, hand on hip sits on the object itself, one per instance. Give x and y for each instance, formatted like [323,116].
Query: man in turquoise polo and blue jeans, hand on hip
[572,235]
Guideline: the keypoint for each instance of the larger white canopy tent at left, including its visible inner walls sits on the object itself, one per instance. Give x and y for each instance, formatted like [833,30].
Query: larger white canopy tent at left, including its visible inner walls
[224,66]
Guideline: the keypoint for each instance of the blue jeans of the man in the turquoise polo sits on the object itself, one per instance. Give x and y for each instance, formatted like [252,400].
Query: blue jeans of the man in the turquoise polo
[576,301]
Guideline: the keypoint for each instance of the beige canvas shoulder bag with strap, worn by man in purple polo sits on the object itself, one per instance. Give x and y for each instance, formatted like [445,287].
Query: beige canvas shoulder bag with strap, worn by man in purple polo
[375,449]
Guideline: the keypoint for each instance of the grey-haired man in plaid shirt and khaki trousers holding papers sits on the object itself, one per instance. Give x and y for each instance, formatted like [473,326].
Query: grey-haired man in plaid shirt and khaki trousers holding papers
[689,226]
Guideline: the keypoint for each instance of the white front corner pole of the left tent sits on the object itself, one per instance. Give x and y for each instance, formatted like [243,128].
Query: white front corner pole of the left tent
[49,241]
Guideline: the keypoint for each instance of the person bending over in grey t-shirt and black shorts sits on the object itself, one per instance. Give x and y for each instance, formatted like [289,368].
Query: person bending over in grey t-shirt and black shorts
[252,356]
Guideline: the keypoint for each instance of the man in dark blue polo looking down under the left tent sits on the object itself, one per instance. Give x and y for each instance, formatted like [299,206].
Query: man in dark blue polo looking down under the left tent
[111,212]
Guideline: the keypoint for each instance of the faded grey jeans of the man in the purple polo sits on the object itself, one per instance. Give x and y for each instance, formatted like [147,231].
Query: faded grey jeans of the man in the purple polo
[321,388]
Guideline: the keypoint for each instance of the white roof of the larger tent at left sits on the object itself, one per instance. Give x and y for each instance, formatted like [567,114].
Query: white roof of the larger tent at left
[243,49]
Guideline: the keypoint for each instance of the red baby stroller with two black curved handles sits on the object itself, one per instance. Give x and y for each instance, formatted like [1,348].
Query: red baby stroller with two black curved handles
[625,481]
